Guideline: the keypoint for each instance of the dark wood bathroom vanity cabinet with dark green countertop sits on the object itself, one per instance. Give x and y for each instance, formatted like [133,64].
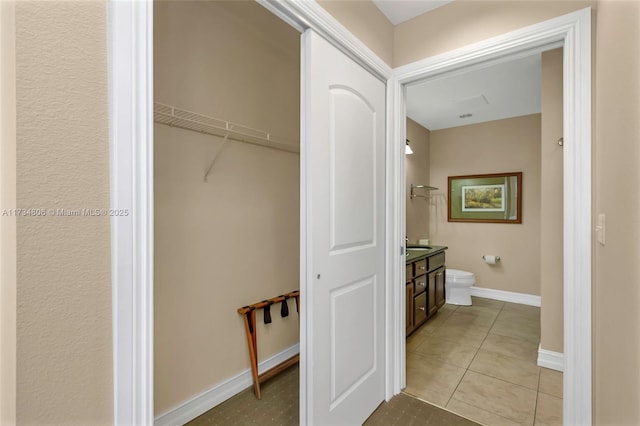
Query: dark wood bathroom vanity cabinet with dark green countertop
[425,283]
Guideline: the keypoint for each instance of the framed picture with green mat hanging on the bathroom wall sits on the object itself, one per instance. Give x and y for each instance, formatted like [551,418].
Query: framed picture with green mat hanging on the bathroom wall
[486,198]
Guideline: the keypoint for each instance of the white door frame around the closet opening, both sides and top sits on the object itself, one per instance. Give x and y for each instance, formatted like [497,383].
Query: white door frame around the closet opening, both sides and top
[130,68]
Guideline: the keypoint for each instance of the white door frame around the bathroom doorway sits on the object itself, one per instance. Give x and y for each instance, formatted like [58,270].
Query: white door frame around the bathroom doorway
[573,32]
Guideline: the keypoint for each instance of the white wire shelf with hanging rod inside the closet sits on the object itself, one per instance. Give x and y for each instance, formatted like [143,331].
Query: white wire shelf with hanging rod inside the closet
[188,120]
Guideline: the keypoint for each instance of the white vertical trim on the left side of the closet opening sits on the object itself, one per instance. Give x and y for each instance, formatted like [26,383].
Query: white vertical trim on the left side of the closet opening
[130,69]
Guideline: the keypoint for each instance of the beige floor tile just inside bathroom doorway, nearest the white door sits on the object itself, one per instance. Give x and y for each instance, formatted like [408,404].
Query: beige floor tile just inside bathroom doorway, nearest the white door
[431,380]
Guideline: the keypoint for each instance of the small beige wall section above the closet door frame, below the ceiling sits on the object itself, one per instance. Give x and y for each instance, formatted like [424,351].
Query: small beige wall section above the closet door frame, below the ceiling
[366,22]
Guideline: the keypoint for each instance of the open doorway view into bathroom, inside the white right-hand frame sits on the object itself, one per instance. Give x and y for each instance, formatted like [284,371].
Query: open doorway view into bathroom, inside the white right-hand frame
[491,120]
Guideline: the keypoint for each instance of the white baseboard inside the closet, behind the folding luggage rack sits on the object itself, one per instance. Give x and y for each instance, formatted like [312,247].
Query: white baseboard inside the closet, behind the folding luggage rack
[204,402]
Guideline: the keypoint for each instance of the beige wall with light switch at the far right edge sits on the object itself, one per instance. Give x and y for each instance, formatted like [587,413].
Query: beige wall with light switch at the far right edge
[617,172]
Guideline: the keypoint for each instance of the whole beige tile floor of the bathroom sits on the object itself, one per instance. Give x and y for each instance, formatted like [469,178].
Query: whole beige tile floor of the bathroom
[479,362]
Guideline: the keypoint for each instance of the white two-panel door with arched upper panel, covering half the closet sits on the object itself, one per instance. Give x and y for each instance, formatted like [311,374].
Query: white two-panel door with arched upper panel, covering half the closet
[344,154]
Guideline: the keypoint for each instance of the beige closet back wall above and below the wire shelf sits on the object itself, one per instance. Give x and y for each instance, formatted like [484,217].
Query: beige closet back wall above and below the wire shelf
[232,240]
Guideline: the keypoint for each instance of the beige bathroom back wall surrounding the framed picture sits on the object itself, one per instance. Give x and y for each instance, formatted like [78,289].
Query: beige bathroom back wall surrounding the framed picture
[510,145]
